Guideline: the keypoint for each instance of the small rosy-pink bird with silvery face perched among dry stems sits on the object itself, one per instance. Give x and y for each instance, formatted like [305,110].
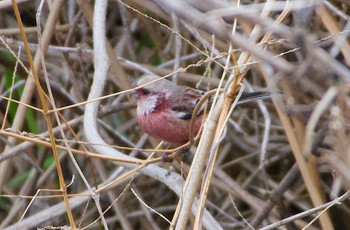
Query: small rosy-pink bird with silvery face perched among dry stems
[164,109]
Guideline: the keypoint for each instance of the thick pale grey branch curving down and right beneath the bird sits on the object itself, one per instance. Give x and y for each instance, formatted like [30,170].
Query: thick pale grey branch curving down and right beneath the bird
[174,181]
